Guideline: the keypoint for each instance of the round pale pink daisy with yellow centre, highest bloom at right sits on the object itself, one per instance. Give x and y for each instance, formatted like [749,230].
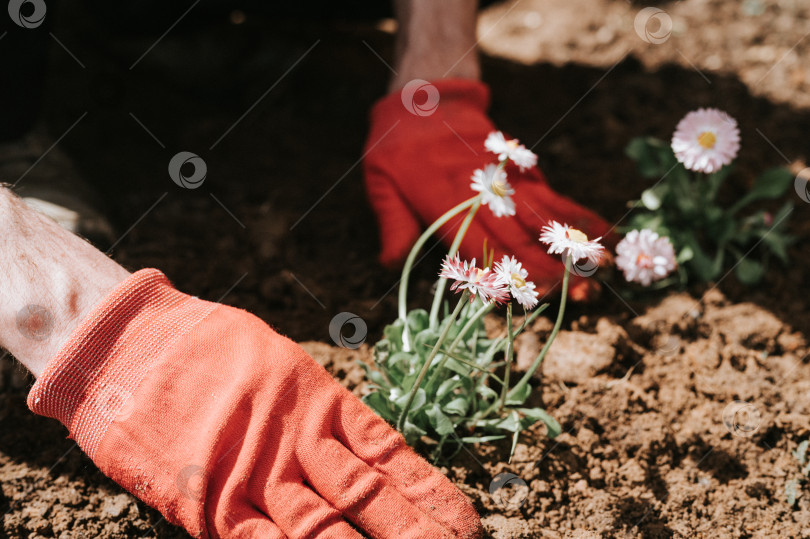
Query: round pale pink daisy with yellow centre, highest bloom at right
[706,140]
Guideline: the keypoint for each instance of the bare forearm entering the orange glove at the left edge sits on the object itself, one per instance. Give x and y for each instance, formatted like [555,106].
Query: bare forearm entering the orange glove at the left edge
[52,279]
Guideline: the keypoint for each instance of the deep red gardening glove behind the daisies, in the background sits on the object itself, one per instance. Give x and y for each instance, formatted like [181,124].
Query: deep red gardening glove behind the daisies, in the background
[418,167]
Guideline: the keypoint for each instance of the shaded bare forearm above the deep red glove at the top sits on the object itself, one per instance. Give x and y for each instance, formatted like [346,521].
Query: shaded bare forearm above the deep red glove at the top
[436,39]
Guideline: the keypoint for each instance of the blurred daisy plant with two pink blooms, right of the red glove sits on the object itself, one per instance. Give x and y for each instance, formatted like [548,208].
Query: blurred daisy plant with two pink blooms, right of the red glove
[682,208]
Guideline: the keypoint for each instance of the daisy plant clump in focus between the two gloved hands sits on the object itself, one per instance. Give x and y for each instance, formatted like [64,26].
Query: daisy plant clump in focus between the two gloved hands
[438,376]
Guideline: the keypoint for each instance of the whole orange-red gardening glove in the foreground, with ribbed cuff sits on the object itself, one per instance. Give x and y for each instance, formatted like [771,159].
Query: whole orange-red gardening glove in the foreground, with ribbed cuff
[231,430]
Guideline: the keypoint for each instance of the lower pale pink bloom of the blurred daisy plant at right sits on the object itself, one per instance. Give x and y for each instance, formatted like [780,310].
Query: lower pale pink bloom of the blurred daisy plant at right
[645,257]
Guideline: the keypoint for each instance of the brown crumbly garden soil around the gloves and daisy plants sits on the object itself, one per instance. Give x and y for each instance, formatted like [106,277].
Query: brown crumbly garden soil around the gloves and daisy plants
[645,451]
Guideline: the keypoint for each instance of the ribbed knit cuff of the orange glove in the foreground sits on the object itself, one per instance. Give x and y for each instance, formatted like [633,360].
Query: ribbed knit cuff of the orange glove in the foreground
[91,380]
